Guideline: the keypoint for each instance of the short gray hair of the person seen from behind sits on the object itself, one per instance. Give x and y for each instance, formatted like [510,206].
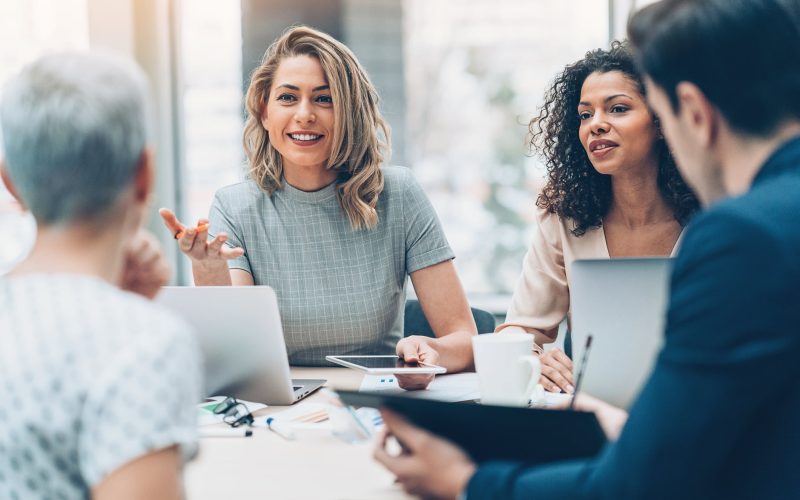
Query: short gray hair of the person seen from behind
[74,129]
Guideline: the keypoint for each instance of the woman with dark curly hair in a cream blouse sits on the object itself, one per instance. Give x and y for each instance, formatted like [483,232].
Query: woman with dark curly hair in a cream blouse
[612,191]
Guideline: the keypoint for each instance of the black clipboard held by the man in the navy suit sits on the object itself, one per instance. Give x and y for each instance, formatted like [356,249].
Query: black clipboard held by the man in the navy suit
[487,432]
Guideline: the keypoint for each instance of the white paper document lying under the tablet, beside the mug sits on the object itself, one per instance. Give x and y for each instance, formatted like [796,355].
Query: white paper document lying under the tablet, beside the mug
[451,388]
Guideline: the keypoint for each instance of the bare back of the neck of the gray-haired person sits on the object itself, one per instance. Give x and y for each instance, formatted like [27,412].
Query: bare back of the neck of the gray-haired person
[76,250]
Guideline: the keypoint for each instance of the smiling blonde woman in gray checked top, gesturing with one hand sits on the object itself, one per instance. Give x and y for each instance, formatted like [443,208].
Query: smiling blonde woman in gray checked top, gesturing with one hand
[324,223]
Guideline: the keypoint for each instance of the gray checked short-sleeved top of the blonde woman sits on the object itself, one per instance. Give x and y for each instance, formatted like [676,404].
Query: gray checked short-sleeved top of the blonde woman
[340,291]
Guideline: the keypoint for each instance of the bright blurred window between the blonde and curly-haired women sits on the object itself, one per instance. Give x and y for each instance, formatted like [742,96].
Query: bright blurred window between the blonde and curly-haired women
[474,78]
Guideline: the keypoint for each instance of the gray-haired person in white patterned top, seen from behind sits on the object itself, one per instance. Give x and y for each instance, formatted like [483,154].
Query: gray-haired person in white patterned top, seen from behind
[117,375]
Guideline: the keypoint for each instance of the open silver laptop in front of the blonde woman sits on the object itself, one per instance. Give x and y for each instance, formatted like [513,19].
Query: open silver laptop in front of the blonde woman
[239,330]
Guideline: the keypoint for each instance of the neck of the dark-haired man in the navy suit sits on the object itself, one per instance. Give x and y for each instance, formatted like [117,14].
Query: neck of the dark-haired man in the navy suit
[742,158]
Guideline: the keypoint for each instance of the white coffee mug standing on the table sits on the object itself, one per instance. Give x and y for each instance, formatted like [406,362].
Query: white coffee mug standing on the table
[507,371]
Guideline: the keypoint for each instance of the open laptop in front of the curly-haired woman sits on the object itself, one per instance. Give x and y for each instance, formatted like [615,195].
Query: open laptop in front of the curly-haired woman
[622,304]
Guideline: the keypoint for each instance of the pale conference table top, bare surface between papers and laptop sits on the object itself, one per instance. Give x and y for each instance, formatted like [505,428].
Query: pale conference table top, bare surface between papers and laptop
[315,465]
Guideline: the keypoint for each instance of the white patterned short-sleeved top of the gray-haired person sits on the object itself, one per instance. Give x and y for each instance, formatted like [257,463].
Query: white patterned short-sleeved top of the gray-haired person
[91,378]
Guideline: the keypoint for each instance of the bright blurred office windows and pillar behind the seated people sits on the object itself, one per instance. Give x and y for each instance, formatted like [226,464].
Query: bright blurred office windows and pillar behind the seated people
[459,82]
